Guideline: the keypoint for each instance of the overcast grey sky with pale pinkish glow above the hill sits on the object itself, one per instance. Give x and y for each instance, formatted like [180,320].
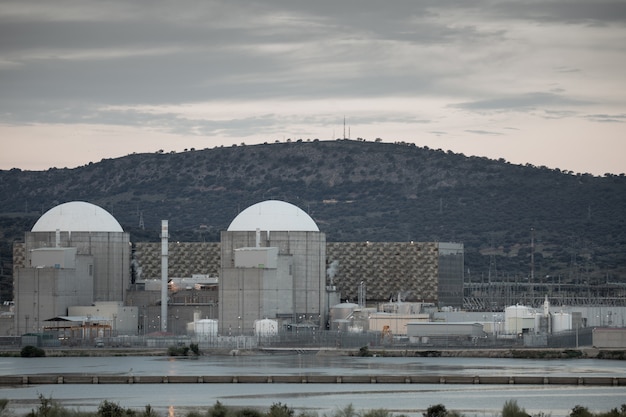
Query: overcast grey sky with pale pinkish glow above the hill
[540,82]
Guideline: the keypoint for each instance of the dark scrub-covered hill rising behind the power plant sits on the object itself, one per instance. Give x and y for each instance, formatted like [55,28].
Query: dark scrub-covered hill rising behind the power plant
[355,191]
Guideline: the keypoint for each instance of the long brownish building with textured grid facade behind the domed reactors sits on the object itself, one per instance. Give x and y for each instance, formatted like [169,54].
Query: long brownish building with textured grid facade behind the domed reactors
[419,271]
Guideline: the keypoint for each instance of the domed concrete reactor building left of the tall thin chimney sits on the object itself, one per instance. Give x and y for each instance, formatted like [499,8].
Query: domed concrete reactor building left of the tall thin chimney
[75,254]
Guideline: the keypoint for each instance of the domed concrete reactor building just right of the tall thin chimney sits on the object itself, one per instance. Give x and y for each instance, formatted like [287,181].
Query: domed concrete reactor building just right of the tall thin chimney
[273,266]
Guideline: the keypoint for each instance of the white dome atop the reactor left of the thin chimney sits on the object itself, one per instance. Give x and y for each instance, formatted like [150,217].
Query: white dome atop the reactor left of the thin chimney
[77,216]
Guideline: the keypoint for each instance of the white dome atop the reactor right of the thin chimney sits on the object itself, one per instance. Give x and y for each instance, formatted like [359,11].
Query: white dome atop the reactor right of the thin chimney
[273,215]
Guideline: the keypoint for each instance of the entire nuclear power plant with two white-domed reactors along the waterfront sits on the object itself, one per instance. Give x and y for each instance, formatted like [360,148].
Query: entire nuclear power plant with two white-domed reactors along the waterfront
[80,280]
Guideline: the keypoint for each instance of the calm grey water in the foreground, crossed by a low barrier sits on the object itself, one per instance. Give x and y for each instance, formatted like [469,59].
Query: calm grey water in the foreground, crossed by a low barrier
[176,400]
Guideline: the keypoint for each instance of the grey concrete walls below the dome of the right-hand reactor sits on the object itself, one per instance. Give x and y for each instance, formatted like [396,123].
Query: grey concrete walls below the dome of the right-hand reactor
[294,291]
